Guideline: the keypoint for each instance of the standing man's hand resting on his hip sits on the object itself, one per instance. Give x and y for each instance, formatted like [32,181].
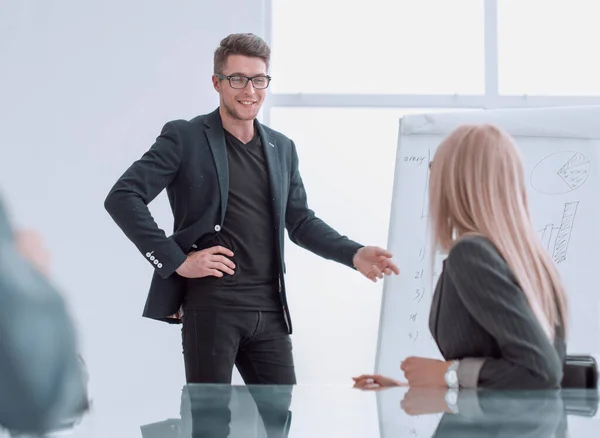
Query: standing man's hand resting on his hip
[208,262]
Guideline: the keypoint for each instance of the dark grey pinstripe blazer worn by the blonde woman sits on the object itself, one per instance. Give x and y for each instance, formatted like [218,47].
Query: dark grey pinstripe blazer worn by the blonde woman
[480,316]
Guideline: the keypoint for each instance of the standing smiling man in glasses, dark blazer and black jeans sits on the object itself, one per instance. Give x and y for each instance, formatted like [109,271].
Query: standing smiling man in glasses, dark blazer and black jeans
[234,187]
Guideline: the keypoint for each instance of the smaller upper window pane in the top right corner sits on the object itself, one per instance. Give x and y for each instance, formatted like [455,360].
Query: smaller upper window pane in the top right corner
[548,47]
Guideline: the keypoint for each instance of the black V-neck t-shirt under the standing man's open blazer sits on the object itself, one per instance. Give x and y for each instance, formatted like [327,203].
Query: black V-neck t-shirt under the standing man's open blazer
[248,230]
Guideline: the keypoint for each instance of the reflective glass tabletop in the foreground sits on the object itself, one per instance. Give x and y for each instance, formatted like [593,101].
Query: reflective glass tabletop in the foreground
[217,411]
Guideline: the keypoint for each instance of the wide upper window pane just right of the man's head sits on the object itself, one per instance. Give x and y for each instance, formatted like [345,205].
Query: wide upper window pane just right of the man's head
[379,47]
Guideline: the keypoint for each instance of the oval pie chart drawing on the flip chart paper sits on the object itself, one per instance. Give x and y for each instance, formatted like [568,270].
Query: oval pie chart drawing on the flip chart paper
[561,172]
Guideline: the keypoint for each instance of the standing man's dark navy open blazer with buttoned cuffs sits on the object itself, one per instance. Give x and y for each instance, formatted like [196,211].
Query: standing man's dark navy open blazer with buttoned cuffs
[189,159]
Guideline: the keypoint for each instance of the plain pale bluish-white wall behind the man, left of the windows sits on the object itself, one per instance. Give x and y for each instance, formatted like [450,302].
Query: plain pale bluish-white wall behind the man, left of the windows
[85,88]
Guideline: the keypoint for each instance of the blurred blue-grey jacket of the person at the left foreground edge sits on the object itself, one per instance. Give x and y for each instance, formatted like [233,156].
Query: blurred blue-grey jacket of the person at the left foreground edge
[41,379]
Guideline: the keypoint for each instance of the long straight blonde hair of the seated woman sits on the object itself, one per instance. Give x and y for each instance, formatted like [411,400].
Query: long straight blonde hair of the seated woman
[477,186]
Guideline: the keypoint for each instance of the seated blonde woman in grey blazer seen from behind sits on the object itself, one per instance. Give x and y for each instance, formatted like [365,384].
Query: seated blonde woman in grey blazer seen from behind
[499,310]
